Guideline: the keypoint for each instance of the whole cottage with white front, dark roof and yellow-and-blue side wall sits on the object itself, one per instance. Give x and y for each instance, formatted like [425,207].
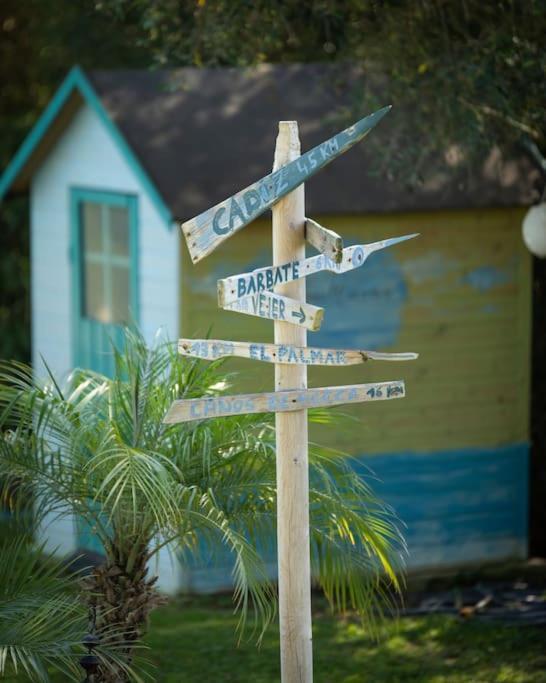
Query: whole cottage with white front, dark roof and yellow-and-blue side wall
[118,157]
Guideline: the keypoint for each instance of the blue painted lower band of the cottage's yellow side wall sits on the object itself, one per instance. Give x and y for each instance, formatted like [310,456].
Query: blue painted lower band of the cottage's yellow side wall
[458,507]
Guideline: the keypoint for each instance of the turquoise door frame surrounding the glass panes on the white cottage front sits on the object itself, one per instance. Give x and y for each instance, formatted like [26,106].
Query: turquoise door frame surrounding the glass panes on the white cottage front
[91,338]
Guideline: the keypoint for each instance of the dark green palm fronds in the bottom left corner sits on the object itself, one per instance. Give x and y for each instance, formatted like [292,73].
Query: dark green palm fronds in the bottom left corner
[43,622]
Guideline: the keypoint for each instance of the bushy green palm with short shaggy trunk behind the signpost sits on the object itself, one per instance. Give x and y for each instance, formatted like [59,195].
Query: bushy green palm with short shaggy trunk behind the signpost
[98,448]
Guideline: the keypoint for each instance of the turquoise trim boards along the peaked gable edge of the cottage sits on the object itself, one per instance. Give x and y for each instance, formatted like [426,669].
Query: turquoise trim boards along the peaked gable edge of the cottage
[77,80]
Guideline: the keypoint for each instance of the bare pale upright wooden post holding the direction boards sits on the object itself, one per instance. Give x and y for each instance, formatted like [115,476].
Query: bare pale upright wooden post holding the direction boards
[292,439]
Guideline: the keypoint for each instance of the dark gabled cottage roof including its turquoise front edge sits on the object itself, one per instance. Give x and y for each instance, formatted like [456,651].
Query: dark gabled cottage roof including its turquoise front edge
[196,136]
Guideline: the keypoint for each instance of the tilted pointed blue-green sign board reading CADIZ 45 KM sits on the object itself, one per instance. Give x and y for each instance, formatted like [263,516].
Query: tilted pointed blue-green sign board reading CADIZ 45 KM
[206,231]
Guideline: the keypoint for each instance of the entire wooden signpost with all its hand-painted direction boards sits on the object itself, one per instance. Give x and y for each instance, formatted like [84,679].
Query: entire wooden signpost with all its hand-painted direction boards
[277,293]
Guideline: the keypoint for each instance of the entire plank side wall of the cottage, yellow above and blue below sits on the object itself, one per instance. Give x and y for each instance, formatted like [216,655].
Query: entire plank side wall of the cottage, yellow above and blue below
[452,456]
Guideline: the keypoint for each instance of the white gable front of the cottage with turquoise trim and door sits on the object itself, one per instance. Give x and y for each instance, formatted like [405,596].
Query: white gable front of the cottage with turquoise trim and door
[103,249]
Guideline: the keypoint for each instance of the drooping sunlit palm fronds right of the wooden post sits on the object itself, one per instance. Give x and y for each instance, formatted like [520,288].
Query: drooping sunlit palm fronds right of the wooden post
[358,551]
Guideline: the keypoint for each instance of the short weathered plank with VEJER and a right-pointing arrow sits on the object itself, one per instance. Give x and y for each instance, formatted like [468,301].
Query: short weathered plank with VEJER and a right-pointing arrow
[277,307]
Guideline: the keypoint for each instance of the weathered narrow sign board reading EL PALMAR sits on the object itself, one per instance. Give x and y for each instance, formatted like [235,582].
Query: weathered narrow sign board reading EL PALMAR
[211,349]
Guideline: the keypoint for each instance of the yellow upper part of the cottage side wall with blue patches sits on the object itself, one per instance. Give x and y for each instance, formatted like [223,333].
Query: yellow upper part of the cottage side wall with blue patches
[463,293]
